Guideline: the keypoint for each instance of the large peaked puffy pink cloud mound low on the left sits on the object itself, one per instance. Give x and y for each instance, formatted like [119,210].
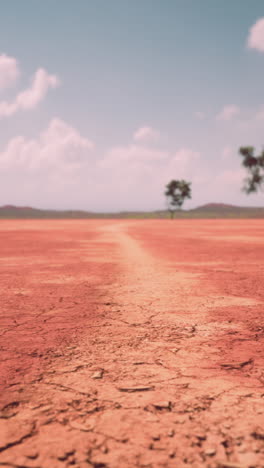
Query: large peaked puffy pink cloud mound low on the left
[59,146]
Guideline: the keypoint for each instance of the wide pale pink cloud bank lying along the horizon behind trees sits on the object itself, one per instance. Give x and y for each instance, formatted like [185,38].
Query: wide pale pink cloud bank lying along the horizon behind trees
[123,177]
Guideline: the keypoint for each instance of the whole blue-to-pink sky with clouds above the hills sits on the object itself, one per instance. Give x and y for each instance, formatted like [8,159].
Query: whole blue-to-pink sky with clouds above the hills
[103,102]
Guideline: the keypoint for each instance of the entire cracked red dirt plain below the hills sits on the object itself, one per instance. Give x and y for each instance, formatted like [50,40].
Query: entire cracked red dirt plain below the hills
[132,344]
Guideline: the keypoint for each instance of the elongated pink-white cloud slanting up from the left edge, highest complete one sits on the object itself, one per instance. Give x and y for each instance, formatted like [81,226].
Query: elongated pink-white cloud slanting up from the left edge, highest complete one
[31,97]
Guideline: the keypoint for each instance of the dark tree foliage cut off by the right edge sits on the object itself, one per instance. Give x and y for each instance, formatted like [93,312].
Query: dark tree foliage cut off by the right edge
[255,168]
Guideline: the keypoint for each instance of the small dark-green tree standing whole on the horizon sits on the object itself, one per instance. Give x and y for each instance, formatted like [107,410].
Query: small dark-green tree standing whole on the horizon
[176,192]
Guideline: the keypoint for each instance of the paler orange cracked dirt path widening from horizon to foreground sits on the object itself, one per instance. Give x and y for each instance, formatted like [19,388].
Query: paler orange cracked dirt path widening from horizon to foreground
[149,384]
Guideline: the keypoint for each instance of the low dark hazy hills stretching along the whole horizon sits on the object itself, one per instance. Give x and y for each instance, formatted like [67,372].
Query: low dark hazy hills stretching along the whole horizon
[210,210]
